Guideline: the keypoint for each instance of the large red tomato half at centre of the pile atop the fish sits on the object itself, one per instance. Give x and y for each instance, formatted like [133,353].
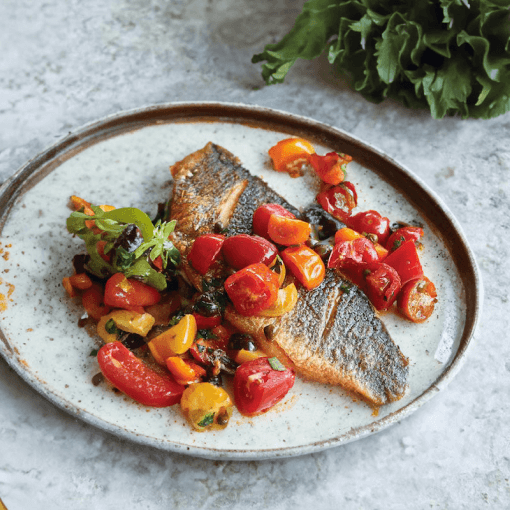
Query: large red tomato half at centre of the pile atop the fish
[252,289]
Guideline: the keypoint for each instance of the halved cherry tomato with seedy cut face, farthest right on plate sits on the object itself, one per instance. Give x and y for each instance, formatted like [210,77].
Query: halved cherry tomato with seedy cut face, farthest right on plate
[417,299]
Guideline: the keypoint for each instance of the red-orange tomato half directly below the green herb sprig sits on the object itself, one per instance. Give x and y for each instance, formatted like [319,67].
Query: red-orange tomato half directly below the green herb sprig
[129,294]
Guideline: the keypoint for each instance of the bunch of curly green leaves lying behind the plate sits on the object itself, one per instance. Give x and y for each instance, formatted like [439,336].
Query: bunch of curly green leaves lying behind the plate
[452,56]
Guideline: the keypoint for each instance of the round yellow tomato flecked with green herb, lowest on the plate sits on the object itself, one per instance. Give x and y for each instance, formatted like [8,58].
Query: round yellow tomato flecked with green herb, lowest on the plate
[206,406]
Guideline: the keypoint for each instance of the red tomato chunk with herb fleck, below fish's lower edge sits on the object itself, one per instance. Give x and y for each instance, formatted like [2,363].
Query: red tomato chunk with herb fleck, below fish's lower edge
[260,384]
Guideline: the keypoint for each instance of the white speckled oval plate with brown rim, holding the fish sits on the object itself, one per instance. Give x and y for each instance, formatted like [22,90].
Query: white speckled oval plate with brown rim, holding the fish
[123,160]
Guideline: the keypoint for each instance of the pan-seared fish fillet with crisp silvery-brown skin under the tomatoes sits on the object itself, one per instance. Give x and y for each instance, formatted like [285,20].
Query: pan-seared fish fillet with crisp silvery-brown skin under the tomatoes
[331,336]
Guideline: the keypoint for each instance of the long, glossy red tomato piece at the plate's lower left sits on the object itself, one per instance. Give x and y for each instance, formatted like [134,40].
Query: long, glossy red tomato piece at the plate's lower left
[127,373]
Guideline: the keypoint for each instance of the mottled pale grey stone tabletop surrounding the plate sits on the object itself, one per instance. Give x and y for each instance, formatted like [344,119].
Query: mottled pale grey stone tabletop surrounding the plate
[68,63]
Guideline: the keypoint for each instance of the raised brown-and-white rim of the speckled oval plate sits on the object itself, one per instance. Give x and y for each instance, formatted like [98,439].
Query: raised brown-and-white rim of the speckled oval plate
[121,122]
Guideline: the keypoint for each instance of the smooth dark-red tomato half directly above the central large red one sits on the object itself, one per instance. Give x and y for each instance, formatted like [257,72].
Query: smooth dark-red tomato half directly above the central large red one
[243,250]
